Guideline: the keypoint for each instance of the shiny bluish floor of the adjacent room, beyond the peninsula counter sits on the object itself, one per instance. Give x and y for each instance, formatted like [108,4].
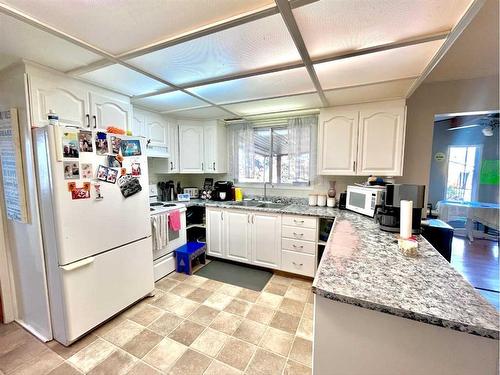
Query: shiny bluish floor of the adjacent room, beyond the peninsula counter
[478,263]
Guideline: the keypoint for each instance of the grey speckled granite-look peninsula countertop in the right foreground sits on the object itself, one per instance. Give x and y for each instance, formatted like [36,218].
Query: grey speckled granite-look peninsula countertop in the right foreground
[362,266]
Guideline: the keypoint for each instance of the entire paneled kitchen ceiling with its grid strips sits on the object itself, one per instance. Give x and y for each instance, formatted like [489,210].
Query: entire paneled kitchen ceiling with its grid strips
[229,58]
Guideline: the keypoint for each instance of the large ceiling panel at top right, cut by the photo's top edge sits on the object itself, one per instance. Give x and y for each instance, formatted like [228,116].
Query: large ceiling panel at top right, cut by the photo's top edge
[329,26]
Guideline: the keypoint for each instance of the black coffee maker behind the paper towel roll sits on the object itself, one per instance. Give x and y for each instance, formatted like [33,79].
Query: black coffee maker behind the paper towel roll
[387,215]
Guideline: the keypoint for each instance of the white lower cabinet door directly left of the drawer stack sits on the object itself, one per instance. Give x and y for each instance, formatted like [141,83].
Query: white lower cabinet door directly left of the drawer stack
[266,239]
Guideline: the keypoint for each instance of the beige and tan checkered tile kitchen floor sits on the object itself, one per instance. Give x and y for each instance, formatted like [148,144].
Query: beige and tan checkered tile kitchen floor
[191,326]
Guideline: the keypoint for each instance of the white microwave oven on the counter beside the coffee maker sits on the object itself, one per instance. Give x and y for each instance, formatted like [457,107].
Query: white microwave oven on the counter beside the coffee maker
[364,200]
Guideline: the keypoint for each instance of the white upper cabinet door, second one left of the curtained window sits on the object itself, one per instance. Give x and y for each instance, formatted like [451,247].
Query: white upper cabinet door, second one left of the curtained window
[191,152]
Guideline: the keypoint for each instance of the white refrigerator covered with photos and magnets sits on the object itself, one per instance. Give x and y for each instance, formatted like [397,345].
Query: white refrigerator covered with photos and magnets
[97,243]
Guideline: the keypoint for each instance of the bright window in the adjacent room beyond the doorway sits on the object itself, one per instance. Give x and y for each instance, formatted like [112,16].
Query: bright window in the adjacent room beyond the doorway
[462,177]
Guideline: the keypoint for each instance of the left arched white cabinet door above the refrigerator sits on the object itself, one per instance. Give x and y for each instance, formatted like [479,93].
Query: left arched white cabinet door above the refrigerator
[68,101]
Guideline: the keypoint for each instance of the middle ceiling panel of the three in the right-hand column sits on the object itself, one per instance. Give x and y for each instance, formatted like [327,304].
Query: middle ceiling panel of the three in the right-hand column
[377,67]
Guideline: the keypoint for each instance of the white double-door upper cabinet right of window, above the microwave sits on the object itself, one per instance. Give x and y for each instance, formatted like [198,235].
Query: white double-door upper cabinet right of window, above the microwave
[363,139]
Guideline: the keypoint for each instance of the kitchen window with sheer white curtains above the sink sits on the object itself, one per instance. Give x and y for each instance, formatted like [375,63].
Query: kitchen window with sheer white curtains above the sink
[279,151]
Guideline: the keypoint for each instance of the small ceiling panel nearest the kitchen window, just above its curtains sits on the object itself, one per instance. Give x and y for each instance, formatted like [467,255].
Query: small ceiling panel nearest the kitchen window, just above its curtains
[289,103]
